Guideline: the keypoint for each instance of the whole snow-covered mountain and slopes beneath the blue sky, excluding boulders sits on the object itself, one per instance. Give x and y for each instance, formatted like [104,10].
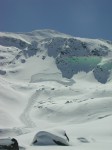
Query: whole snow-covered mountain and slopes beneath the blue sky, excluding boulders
[50,80]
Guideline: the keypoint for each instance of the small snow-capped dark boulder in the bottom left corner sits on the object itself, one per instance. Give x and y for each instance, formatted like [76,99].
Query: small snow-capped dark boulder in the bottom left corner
[9,144]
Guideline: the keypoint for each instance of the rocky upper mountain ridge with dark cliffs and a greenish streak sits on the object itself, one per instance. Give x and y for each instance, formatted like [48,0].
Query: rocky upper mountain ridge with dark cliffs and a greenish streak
[71,55]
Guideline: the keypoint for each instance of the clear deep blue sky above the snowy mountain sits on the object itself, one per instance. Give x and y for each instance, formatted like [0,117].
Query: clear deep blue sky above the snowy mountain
[80,18]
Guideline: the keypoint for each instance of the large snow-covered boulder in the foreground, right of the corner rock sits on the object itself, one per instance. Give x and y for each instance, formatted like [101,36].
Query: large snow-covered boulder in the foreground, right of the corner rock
[56,137]
